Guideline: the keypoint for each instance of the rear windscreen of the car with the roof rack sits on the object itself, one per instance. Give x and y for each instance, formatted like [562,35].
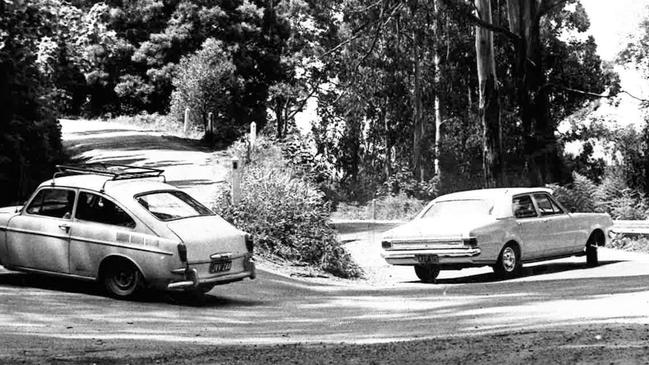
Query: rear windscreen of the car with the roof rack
[171,205]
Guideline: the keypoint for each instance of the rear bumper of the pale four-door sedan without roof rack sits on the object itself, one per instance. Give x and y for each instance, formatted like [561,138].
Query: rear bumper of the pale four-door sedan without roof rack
[452,256]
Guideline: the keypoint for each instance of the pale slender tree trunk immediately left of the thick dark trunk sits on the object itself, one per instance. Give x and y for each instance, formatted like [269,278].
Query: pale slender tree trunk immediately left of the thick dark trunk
[489,104]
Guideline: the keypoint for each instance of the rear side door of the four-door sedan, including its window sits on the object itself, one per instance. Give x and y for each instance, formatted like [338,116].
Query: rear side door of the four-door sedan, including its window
[530,227]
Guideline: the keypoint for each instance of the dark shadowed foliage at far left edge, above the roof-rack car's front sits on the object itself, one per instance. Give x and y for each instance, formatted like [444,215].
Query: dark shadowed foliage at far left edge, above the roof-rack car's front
[30,142]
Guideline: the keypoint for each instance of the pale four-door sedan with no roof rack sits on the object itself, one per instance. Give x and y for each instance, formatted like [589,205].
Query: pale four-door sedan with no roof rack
[503,228]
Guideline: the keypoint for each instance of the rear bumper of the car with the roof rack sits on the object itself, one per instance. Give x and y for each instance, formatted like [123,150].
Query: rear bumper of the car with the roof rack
[194,279]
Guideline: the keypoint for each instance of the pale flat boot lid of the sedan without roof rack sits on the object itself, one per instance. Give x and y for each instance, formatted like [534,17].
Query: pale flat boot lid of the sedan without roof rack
[437,228]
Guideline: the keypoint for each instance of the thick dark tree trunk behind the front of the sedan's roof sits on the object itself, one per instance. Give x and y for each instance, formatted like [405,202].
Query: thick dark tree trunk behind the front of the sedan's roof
[540,144]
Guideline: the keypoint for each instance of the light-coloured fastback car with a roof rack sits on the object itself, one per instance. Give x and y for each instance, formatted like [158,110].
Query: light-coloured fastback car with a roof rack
[125,228]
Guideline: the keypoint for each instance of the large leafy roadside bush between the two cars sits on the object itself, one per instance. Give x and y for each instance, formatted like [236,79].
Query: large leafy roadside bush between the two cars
[287,214]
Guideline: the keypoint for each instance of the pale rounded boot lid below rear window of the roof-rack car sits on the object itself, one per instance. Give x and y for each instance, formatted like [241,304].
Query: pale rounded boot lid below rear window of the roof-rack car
[208,235]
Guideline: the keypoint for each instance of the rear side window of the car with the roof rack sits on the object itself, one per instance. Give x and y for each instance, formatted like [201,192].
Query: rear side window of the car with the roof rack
[96,208]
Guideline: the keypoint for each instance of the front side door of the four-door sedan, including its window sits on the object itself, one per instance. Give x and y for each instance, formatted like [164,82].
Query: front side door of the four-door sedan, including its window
[559,233]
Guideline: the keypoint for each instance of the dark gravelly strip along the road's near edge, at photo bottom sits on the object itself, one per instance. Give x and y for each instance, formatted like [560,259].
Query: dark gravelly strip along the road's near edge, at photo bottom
[610,344]
